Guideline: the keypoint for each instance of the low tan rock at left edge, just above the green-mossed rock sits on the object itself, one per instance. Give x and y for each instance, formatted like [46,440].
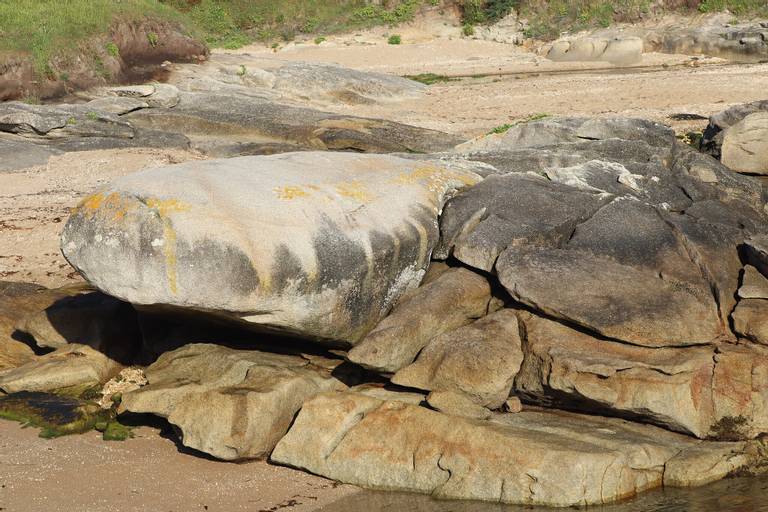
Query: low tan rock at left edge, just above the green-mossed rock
[73,365]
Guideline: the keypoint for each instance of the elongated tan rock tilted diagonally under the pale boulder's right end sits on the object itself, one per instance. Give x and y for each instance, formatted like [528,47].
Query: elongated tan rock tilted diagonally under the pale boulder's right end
[454,298]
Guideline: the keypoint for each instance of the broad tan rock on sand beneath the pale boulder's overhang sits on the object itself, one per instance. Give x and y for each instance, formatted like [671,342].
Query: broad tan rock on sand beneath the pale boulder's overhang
[254,395]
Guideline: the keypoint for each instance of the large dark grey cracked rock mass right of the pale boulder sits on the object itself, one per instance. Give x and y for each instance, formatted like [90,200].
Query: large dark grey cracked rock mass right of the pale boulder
[619,229]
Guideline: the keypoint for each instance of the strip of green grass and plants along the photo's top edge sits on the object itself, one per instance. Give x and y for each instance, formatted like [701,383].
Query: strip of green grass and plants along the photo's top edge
[47,28]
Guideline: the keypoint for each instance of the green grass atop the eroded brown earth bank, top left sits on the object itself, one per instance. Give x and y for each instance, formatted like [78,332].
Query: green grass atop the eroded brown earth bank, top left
[45,28]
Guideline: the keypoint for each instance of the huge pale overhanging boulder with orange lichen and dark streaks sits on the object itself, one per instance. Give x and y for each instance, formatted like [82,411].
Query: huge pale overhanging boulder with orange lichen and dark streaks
[317,244]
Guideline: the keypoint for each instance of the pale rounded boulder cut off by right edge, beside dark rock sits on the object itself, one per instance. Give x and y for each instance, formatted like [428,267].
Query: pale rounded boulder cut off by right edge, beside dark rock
[745,145]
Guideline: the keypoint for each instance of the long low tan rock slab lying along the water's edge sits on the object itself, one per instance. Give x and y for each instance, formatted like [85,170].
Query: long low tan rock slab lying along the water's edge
[531,458]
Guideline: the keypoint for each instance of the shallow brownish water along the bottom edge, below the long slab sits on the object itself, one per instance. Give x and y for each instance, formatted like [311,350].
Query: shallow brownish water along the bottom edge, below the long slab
[731,495]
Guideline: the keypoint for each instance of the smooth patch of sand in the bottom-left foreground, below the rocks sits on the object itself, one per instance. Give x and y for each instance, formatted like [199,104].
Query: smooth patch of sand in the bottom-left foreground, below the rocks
[146,473]
